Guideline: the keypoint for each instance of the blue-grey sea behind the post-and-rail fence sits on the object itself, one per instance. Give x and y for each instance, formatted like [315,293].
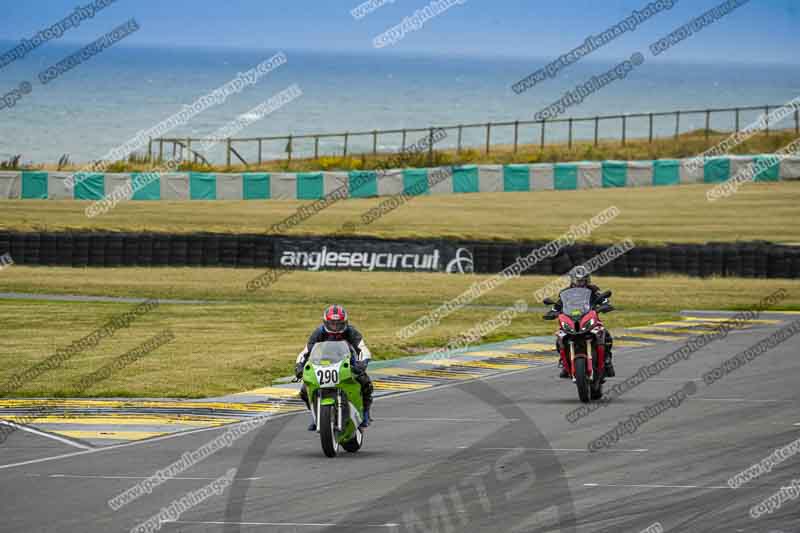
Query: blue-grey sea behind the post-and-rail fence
[105,101]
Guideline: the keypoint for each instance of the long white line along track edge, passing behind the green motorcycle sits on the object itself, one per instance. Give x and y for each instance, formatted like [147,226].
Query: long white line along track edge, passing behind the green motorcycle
[274,417]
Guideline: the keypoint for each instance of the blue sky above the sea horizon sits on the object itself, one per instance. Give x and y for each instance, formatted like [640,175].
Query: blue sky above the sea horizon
[761,31]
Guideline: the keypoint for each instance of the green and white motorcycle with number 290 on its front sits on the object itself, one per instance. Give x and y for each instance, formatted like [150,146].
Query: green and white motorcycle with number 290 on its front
[335,397]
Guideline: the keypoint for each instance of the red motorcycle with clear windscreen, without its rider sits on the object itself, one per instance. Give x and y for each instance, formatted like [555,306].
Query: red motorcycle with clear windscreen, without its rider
[581,339]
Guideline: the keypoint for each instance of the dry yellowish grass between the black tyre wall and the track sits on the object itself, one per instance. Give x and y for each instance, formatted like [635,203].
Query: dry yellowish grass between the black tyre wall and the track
[245,340]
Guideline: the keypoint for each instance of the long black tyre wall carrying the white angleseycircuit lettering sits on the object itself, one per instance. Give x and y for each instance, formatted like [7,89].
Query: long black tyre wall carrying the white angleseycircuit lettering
[732,259]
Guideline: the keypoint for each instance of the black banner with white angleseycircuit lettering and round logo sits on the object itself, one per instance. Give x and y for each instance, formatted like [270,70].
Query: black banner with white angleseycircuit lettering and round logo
[370,255]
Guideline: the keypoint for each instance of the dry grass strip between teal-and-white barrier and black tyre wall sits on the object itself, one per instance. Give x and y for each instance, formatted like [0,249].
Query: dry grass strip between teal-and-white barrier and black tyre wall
[763,211]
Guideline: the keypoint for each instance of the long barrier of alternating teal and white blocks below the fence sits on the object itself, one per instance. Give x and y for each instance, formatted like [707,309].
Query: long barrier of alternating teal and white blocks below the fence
[487,178]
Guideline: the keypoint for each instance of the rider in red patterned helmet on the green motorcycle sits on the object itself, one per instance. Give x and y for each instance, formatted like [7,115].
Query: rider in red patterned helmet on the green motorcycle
[335,327]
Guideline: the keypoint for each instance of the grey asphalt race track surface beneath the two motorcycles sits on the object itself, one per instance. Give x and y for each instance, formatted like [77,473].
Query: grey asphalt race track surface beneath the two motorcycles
[494,454]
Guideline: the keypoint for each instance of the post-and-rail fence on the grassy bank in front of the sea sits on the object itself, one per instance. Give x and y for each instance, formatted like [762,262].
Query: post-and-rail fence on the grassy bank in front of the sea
[182,147]
